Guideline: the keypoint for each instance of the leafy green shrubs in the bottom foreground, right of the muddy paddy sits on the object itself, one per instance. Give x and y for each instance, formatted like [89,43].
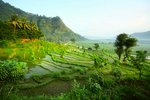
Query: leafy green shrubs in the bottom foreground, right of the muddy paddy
[94,89]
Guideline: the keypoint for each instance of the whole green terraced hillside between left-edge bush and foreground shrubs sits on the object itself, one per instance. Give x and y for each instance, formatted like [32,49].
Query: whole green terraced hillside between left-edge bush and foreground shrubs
[54,67]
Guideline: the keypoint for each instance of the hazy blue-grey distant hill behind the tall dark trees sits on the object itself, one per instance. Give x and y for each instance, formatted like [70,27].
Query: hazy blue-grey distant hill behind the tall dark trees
[142,35]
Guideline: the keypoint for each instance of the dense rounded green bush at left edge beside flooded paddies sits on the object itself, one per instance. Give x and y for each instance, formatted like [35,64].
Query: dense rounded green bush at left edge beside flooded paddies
[11,70]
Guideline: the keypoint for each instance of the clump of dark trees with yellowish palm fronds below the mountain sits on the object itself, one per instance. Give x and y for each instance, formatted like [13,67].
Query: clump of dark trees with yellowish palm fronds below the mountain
[17,28]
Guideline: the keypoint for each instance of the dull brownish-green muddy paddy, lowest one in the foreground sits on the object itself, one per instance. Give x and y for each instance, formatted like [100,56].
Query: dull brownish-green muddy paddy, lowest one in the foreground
[53,88]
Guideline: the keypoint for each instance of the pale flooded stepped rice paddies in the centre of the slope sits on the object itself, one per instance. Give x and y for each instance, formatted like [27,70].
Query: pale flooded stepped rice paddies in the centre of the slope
[70,63]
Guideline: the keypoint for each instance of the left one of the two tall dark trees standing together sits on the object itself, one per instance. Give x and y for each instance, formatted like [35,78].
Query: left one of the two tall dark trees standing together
[119,44]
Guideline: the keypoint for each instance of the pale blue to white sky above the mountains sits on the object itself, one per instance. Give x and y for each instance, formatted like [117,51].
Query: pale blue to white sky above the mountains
[93,19]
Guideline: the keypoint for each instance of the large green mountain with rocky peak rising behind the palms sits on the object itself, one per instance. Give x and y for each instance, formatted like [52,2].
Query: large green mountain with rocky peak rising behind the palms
[53,27]
